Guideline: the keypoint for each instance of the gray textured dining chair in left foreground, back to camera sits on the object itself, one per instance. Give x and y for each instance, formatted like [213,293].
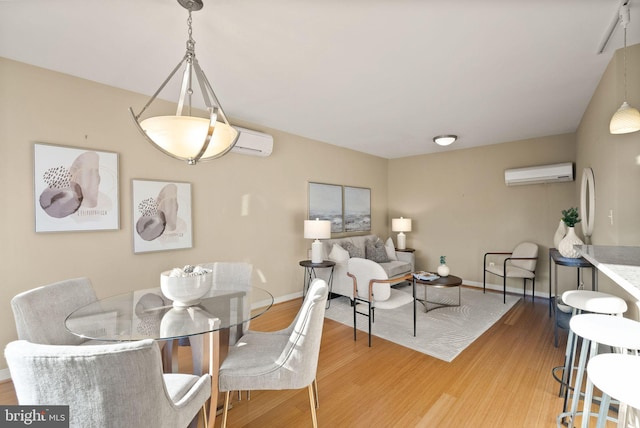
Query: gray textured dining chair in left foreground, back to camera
[115,385]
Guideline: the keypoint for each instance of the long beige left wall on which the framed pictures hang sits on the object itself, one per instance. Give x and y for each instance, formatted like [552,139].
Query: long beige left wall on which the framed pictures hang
[37,105]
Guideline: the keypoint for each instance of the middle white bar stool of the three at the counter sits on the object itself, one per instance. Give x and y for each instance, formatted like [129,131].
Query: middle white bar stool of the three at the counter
[621,334]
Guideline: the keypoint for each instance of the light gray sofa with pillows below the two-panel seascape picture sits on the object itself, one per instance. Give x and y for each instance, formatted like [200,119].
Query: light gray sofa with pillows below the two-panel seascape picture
[403,264]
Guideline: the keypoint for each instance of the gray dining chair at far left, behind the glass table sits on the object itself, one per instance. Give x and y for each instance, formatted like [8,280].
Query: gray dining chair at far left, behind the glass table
[40,313]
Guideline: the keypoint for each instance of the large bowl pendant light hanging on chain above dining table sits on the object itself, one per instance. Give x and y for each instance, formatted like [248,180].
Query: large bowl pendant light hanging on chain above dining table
[185,136]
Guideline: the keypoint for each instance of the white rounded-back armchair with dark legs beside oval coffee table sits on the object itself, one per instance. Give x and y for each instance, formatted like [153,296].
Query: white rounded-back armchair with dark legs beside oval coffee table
[372,289]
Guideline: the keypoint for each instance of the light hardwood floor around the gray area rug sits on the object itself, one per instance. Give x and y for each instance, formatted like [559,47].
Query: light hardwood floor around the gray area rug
[502,379]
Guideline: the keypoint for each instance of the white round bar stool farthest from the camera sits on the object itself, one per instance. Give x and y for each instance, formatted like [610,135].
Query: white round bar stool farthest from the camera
[583,301]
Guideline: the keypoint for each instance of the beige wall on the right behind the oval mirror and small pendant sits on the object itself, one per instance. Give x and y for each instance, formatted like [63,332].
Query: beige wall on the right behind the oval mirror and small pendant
[615,160]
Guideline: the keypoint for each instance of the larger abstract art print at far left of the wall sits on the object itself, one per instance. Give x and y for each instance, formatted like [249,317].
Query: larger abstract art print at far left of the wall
[75,189]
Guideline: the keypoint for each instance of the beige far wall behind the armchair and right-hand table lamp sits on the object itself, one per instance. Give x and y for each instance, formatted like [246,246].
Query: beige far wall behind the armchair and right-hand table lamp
[462,208]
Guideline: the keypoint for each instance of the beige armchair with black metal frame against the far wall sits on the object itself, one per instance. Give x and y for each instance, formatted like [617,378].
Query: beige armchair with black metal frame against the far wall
[520,263]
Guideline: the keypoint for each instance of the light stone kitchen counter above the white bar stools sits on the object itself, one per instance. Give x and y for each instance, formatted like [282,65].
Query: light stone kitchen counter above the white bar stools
[621,264]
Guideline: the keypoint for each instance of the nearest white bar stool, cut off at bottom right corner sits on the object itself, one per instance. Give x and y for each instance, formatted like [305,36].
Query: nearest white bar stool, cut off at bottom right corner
[617,376]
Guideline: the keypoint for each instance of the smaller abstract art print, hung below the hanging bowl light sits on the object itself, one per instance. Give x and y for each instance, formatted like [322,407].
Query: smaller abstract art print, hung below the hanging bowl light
[161,215]
